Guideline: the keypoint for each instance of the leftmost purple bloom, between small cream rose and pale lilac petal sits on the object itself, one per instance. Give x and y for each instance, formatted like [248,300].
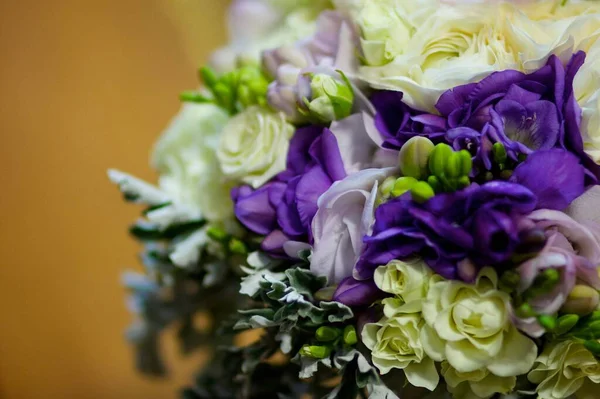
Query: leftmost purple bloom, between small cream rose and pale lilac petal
[283,209]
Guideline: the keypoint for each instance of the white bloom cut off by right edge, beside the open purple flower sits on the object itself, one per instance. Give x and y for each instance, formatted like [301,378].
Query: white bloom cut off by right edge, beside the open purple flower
[587,93]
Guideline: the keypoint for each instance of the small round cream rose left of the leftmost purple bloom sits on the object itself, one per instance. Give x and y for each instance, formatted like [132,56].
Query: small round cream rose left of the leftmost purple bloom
[254,145]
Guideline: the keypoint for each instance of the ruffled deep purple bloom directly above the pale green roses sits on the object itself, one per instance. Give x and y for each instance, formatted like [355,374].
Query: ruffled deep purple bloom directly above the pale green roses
[480,223]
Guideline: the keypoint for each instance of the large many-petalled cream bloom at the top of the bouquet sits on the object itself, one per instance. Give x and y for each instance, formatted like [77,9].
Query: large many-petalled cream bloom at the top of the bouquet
[453,45]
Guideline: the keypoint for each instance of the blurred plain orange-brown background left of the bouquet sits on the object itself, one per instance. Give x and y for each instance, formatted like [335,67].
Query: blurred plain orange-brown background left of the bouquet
[85,85]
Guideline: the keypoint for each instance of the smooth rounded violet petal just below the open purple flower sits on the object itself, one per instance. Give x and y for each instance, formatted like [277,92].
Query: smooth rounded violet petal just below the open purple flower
[555,176]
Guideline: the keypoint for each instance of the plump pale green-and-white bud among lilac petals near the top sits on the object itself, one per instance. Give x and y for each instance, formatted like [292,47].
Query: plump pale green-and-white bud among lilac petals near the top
[332,99]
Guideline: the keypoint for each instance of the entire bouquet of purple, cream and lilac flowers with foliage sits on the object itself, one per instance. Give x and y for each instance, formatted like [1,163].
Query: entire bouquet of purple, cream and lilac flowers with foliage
[400,193]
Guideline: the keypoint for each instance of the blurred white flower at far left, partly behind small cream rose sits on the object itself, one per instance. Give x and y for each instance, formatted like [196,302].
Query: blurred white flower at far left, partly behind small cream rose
[185,157]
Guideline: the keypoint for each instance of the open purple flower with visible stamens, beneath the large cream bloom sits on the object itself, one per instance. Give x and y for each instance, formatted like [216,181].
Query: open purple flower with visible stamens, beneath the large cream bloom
[524,112]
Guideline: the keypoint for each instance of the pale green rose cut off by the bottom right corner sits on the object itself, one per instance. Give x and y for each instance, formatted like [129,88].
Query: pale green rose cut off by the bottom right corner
[563,369]
